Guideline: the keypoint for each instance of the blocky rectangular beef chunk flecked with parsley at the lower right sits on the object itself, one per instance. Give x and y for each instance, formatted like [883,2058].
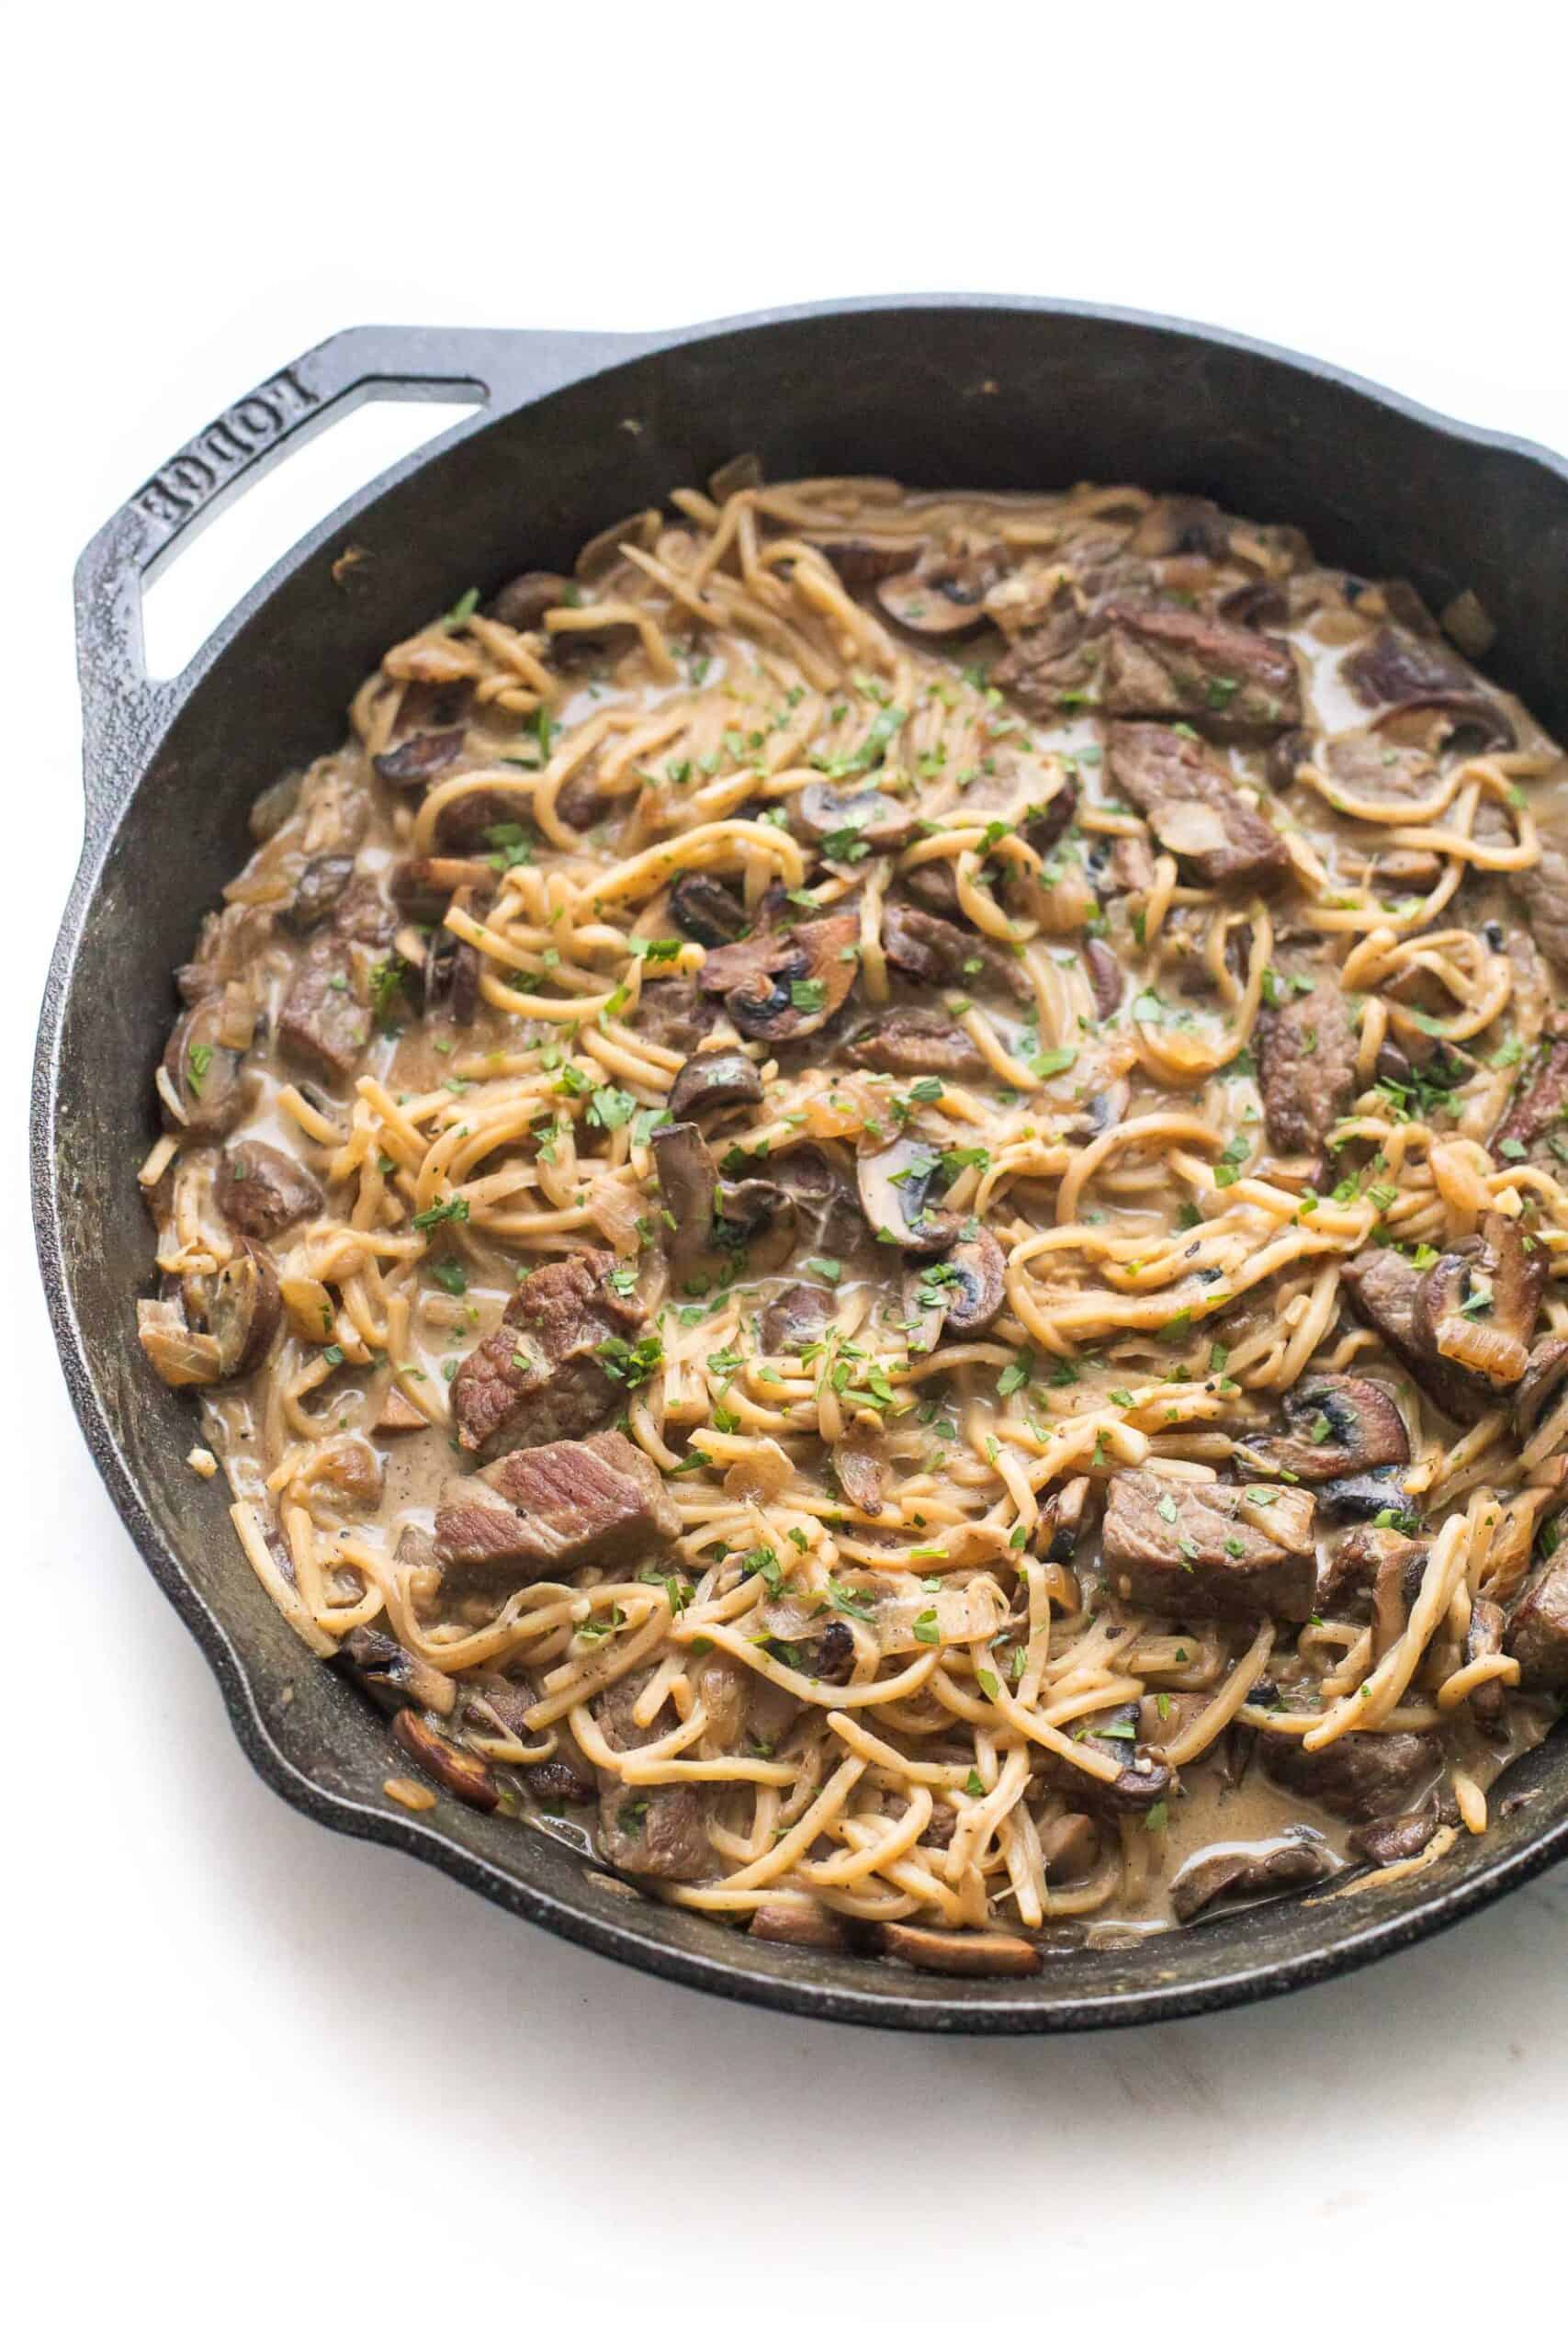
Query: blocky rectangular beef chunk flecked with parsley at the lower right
[1193,1549]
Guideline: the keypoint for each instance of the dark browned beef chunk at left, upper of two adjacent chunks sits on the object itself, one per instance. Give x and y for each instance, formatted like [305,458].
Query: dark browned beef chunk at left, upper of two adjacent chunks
[544,1372]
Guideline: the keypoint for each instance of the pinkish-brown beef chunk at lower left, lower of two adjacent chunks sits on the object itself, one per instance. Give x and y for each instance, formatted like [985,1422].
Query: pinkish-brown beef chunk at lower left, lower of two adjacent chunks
[551,1509]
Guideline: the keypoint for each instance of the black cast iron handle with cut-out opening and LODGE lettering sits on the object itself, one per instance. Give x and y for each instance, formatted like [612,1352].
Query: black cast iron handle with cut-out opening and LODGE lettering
[123,709]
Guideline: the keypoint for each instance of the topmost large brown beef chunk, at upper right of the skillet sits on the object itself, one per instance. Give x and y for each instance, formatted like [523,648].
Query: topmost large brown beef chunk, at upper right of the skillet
[1177,664]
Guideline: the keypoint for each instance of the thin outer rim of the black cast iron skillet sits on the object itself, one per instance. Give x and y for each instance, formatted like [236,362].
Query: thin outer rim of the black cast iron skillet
[751,1977]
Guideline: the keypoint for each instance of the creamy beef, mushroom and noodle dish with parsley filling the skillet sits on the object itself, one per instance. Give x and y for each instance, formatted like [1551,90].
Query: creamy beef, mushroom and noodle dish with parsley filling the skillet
[871,1203]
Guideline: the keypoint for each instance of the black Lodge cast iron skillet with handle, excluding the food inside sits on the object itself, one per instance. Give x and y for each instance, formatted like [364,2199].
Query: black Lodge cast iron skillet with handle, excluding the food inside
[577,432]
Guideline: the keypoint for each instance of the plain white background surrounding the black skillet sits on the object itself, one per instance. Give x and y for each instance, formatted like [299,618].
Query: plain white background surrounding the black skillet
[267,2085]
